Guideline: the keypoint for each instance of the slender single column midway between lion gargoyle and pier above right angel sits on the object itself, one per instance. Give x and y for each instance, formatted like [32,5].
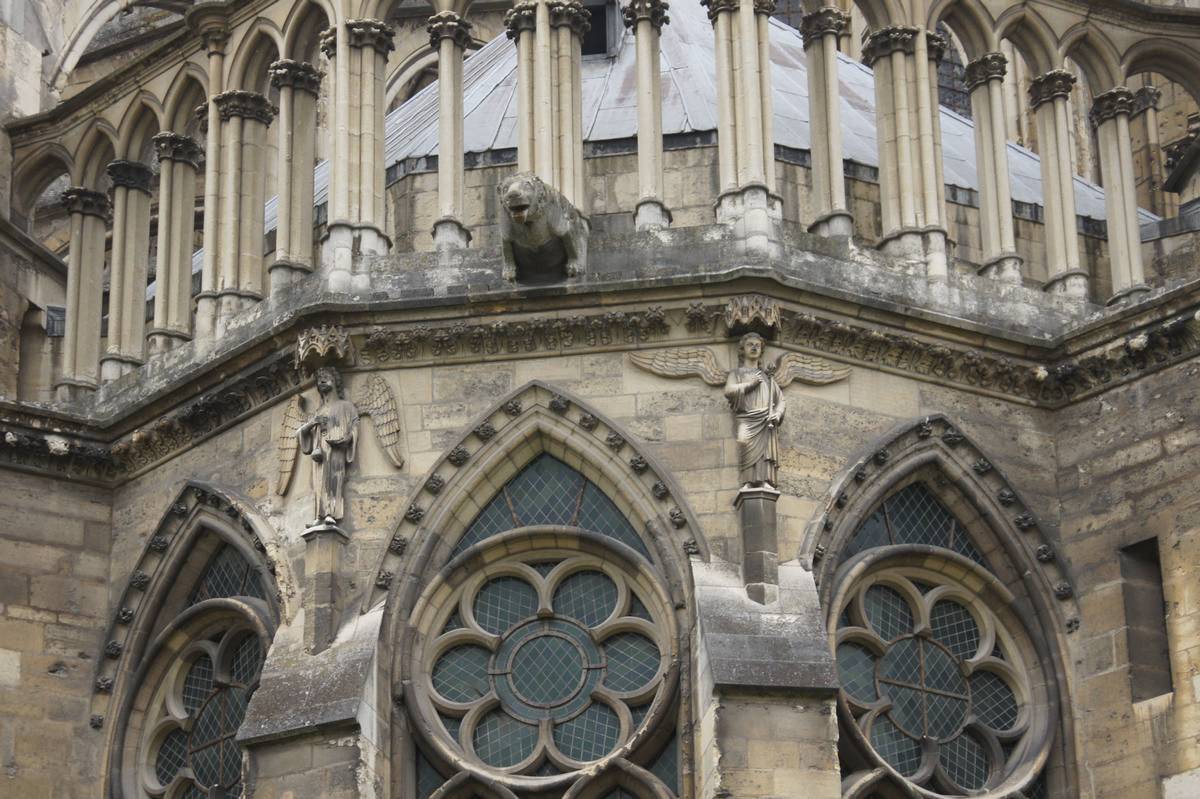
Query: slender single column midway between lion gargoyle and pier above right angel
[646,20]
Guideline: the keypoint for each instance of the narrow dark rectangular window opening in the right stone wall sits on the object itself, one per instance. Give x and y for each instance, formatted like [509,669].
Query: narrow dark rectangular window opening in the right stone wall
[1150,663]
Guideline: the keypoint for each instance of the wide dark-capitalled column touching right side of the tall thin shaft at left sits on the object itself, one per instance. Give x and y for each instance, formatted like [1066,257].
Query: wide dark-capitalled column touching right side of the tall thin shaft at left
[245,117]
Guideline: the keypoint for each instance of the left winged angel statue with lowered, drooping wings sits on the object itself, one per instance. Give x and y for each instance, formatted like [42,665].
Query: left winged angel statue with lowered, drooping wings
[329,437]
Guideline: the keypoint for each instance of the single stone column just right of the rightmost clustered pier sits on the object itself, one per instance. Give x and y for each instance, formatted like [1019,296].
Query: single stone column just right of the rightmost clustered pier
[986,81]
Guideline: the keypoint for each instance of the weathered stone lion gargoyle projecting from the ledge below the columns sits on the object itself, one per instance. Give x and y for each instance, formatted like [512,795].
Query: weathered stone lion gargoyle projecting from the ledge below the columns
[545,237]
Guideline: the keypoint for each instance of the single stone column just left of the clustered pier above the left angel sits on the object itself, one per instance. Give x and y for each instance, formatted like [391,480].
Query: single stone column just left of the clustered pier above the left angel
[299,85]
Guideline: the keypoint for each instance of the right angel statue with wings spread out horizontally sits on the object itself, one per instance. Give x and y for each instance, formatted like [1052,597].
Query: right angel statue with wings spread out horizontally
[755,394]
